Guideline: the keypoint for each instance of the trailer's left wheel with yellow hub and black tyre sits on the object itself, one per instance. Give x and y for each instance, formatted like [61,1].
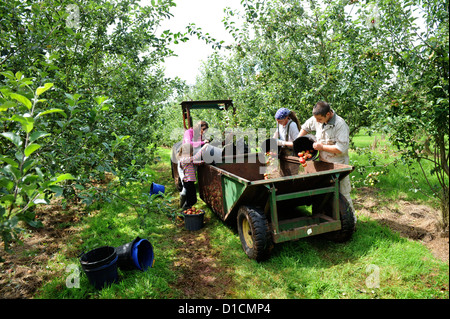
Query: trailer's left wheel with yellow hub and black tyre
[254,233]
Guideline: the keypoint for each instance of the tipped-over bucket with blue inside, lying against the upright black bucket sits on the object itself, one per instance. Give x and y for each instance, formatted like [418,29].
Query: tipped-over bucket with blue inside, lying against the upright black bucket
[137,254]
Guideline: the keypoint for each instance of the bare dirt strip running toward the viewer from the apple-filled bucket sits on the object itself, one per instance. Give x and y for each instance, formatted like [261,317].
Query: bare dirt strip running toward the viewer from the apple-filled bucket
[201,276]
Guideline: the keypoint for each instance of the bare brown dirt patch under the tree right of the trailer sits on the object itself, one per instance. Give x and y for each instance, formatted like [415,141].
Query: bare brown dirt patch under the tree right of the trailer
[410,220]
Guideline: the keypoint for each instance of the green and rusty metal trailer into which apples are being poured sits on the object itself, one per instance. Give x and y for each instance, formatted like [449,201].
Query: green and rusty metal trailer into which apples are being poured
[300,202]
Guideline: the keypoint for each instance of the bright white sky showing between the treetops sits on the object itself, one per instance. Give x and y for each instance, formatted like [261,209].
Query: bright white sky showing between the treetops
[207,15]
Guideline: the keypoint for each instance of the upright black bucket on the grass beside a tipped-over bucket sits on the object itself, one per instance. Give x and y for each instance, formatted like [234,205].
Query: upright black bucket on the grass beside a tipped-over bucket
[100,266]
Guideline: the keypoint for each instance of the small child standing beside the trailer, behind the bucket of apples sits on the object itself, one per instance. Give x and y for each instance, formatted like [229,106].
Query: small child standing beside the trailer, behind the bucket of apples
[187,160]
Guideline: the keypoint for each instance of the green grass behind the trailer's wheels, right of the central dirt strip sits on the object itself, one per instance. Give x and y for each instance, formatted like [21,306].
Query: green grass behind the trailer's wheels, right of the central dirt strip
[317,268]
